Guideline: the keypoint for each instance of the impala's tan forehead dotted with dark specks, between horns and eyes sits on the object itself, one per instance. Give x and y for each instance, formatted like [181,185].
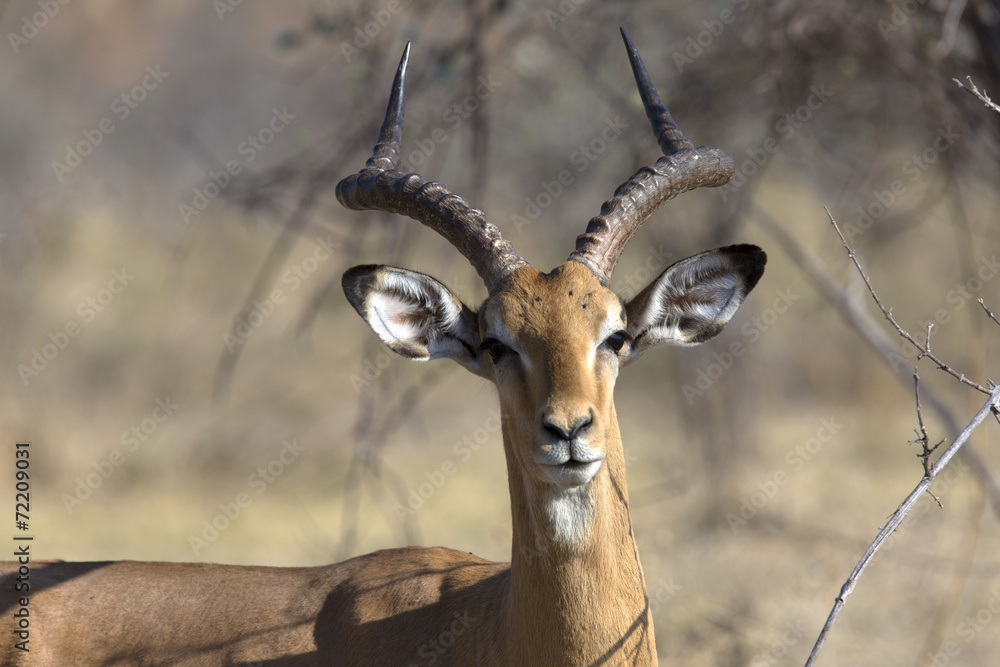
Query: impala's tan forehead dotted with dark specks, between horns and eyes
[570,295]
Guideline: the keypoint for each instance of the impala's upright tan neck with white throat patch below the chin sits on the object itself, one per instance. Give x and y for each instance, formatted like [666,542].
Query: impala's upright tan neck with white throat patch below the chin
[577,596]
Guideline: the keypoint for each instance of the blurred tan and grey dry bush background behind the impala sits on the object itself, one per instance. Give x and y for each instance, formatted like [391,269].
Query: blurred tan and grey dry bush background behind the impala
[193,148]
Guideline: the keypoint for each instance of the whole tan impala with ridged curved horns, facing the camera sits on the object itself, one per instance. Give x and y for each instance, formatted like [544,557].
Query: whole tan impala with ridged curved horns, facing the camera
[552,343]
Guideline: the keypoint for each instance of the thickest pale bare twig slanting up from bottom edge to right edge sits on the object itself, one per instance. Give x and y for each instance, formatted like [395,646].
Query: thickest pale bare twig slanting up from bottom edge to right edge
[991,405]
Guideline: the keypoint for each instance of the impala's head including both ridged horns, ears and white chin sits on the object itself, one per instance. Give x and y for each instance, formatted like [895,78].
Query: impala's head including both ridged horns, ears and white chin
[553,343]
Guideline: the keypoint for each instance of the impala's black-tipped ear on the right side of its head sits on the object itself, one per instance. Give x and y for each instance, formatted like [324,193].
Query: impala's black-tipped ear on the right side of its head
[694,299]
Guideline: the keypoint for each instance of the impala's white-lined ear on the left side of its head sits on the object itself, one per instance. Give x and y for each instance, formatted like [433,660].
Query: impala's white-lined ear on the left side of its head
[414,314]
